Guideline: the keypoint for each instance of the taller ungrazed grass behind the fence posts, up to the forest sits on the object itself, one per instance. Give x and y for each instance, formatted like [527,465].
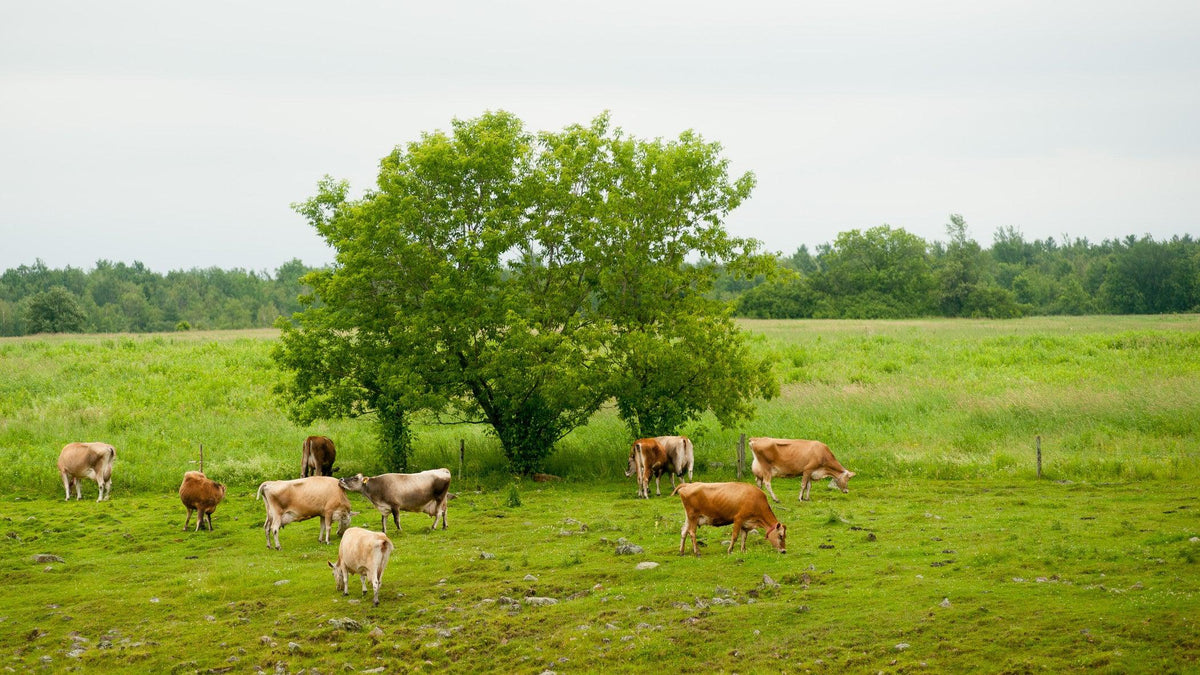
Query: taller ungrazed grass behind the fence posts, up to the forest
[1112,398]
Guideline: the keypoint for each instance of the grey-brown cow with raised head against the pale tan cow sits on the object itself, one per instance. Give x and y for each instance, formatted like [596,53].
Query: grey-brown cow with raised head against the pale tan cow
[428,492]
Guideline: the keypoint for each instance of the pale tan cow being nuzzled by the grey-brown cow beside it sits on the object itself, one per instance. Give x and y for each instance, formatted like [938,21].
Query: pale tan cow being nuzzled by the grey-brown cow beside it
[301,499]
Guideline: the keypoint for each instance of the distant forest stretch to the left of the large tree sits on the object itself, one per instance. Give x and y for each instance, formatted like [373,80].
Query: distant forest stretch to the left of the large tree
[123,298]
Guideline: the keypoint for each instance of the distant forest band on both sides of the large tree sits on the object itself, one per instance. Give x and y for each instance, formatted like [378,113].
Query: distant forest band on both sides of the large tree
[879,273]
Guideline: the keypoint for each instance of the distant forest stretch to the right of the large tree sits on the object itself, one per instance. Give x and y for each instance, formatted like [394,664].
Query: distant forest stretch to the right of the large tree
[889,273]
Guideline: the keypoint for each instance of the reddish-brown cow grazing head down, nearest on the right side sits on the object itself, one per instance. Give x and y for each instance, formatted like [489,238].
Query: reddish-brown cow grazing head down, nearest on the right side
[724,504]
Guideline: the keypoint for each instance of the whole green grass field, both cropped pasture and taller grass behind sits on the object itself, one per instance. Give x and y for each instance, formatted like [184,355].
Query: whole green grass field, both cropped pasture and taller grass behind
[947,555]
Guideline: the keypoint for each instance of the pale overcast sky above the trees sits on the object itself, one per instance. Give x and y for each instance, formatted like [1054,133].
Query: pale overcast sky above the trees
[179,134]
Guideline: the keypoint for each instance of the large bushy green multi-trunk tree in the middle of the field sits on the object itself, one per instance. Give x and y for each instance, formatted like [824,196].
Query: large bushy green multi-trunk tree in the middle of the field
[524,280]
